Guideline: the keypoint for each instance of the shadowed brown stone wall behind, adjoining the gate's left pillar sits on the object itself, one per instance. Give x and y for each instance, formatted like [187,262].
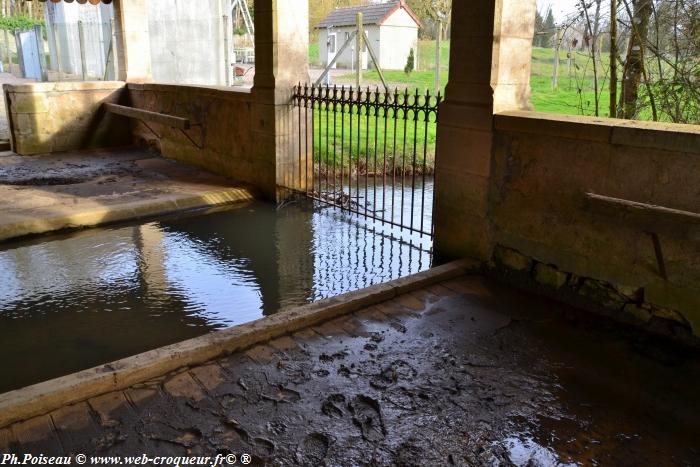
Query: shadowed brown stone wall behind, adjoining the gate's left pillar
[220,139]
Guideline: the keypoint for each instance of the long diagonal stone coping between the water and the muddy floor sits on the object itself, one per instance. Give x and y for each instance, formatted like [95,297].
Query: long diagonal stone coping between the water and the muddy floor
[45,397]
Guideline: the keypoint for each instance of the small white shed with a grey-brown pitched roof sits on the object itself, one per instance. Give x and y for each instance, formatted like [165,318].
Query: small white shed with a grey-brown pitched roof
[392,30]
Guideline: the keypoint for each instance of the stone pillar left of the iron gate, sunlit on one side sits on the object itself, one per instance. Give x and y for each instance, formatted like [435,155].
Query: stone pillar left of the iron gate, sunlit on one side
[281,62]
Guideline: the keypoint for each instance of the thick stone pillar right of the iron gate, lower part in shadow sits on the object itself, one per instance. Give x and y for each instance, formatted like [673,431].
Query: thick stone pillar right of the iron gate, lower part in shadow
[490,54]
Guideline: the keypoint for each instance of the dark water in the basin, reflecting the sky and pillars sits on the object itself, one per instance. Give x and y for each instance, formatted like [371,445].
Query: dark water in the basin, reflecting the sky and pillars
[75,301]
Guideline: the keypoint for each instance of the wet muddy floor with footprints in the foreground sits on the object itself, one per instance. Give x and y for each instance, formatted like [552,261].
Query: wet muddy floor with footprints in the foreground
[467,372]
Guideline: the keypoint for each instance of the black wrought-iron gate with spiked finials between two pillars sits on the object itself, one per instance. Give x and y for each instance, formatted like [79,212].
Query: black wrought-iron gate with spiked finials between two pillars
[370,153]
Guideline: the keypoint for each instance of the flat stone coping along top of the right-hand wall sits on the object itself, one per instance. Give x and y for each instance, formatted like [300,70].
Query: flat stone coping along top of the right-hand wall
[653,135]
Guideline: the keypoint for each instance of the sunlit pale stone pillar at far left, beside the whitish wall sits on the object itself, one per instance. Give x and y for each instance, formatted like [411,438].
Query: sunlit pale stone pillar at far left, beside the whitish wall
[133,45]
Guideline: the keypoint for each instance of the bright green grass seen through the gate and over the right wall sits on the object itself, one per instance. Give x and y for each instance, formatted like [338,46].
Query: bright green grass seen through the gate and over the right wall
[575,95]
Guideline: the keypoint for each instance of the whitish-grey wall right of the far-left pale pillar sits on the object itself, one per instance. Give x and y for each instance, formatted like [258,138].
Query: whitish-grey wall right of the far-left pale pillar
[187,41]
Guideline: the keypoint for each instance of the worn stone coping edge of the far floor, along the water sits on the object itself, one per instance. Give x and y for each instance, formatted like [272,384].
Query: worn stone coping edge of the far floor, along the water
[124,212]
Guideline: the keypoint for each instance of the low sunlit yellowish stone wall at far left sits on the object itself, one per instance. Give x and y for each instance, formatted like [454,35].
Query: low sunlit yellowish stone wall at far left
[52,117]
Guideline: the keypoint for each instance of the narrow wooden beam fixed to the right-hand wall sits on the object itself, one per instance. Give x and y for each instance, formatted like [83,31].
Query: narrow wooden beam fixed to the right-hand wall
[647,217]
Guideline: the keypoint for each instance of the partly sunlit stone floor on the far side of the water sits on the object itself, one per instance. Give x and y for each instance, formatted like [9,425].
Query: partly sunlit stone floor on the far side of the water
[99,181]
